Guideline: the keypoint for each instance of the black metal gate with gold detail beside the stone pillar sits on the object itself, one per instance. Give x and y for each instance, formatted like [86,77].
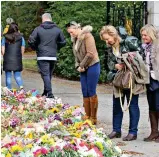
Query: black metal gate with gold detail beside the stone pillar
[131,15]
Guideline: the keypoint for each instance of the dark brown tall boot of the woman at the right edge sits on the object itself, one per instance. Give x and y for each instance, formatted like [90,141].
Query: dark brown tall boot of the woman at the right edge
[154,127]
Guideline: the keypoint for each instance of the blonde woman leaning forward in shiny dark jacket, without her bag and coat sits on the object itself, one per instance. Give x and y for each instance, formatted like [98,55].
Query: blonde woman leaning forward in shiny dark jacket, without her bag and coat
[116,47]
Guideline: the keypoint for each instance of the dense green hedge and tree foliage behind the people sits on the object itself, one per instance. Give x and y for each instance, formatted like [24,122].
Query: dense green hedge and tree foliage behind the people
[27,14]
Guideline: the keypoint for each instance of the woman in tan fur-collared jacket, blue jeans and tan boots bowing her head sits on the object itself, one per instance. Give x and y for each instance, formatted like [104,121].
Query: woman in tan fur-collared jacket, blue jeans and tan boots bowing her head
[87,63]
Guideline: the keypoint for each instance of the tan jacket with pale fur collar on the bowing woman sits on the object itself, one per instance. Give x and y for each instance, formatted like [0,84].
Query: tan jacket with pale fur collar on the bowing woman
[84,49]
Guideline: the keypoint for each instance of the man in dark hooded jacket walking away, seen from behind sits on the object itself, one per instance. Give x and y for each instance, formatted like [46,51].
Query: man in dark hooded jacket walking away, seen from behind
[46,39]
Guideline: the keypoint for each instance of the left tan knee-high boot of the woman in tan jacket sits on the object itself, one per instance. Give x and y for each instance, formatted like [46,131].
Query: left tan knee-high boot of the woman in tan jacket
[86,105]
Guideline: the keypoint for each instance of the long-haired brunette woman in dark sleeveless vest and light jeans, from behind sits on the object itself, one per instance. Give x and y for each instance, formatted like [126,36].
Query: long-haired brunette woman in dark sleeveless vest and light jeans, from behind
[13,47]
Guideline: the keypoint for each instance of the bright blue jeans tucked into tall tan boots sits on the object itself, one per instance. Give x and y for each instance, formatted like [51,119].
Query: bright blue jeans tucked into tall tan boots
[89,80]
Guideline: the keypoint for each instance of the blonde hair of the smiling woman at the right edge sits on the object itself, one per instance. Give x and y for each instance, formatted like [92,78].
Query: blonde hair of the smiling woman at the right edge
[151,31]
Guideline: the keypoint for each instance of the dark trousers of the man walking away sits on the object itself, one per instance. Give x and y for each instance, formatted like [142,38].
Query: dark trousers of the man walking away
[46,69]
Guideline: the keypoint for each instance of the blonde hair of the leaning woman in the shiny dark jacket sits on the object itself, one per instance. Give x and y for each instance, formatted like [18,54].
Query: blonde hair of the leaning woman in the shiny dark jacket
[110,30]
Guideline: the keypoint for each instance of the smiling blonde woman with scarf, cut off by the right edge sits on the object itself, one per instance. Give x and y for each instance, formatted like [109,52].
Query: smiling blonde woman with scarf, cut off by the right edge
[150,37]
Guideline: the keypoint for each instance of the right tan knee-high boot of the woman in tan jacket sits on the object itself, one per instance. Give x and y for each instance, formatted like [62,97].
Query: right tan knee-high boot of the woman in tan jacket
[94,107]
